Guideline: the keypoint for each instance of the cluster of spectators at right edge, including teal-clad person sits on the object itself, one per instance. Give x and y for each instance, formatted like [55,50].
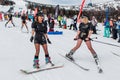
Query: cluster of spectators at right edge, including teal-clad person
[112,27]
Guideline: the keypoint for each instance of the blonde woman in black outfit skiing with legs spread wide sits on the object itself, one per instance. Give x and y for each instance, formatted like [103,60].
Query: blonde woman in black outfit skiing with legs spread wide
[84,33]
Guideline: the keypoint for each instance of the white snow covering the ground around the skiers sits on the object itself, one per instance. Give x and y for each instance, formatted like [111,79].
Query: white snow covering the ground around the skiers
[17,52]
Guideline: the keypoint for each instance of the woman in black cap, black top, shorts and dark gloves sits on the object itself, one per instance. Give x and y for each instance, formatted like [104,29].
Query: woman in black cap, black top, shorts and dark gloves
[39,34]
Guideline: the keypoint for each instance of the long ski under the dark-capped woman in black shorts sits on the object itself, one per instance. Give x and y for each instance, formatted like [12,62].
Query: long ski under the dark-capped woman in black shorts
[30,71]
